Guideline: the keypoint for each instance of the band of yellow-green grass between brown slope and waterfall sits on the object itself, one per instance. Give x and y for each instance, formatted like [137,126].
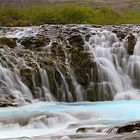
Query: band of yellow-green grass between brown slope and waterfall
[66,14]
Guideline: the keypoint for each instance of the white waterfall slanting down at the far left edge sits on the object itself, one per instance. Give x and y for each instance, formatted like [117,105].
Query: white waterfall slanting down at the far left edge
[12,87]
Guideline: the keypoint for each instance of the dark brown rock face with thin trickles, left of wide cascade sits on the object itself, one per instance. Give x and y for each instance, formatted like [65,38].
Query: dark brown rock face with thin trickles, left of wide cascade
[58,62]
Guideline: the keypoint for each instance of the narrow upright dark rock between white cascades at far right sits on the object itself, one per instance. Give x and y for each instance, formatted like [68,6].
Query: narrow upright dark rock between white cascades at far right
[131,44]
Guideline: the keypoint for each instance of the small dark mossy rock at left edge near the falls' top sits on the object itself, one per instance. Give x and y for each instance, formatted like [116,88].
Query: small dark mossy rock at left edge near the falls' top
[8,42]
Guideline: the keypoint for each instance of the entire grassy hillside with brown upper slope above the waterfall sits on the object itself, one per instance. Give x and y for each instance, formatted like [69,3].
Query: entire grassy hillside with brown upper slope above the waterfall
[36,12]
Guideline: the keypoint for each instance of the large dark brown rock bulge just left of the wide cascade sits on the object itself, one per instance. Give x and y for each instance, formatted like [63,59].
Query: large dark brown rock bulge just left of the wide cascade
[82,64]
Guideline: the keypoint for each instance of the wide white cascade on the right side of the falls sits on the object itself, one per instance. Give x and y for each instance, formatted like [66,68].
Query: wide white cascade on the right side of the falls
[117,73]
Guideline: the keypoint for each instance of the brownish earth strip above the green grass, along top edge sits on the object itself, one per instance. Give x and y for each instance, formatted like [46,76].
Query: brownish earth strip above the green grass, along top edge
[119,4]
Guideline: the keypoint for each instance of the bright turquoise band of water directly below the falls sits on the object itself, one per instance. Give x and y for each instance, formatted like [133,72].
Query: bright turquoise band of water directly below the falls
[117,110]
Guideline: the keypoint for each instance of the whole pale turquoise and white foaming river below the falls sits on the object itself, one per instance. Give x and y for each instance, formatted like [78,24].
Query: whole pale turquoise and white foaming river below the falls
[64,114]
